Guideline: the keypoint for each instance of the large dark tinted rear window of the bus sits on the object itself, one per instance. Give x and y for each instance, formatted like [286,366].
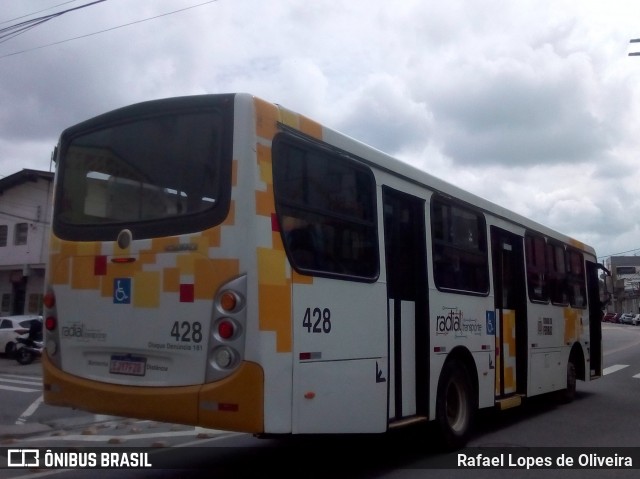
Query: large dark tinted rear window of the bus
[143,171]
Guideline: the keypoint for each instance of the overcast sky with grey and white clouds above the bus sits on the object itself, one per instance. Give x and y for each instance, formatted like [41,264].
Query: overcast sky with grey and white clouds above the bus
[532,104]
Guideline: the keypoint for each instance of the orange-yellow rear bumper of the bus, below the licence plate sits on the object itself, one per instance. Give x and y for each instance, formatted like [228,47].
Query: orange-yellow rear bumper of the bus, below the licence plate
[234,403]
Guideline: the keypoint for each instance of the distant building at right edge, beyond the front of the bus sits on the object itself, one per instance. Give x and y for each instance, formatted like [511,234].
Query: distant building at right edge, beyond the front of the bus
[625,274]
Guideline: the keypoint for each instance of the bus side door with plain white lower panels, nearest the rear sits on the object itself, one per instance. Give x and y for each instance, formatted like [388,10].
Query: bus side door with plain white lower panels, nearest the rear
[407,300]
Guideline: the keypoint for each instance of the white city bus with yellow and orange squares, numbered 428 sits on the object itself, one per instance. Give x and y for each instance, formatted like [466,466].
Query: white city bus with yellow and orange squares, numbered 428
[221,261]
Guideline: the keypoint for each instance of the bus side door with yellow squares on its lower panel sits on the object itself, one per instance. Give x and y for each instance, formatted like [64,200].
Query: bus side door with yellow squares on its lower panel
[511,313]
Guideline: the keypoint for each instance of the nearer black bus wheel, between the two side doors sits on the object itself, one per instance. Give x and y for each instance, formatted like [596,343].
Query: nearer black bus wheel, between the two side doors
[455,405]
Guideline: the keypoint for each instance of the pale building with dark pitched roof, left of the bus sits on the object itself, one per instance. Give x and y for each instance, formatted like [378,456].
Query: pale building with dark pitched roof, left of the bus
[25,219]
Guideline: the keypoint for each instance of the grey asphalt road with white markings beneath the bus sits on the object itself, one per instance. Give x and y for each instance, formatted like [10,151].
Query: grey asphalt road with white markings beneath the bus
[604,414]
